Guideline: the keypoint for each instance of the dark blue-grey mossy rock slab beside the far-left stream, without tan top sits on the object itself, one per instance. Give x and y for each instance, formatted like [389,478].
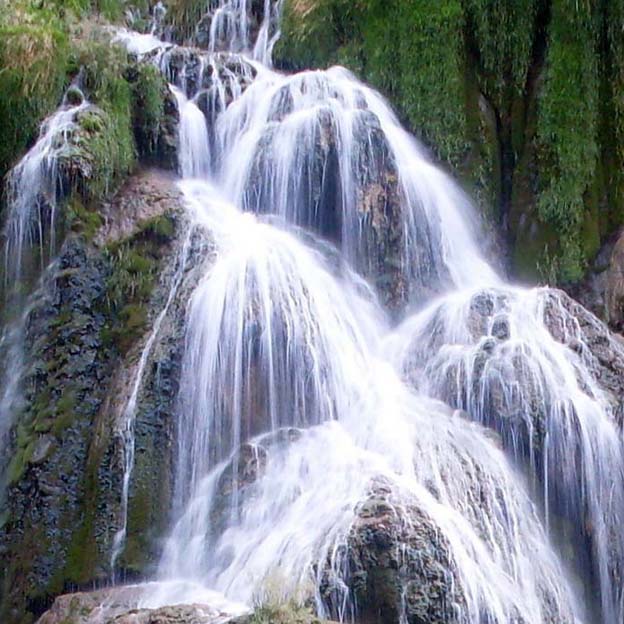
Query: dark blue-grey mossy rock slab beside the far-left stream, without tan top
[64,389]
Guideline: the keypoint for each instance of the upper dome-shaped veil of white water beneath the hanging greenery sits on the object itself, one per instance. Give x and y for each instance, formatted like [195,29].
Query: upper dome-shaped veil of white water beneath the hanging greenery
[323,151]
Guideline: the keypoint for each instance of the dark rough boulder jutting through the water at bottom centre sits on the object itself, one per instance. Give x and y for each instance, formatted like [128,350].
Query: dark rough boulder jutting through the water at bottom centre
[398,566]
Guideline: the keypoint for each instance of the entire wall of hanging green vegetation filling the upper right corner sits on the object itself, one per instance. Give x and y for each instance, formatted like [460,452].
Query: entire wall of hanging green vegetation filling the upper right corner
[523,99]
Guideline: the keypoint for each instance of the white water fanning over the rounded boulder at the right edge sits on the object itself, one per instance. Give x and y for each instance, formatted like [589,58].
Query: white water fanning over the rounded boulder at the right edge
[493,354]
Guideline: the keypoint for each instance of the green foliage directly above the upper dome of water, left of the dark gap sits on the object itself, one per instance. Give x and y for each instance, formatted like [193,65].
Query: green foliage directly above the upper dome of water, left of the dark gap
[410,49]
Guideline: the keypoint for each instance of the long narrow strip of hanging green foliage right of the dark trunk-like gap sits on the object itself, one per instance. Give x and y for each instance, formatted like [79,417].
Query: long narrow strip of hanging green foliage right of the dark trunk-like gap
[567,128]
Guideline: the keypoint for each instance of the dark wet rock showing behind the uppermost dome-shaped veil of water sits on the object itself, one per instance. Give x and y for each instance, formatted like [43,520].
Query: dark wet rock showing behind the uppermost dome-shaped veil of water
[356,204]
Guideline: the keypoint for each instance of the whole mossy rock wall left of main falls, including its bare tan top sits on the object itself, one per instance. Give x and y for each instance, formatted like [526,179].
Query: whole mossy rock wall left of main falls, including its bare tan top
[66,473]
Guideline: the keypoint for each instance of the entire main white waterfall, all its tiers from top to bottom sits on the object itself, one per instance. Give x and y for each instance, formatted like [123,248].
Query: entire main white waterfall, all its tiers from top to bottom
[296,398]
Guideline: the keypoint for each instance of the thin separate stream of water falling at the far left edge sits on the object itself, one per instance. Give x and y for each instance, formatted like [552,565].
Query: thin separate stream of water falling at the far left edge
[33,189]
